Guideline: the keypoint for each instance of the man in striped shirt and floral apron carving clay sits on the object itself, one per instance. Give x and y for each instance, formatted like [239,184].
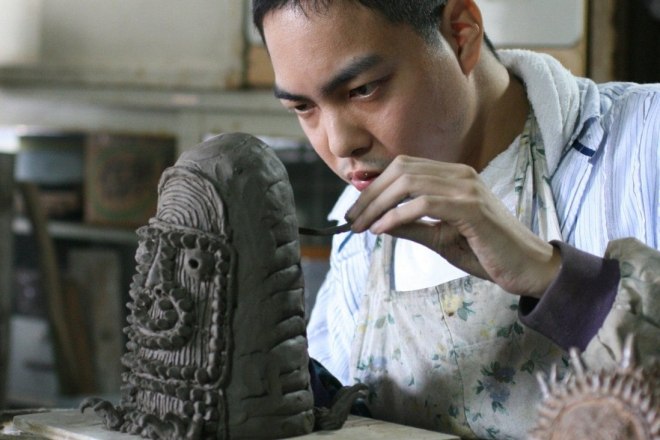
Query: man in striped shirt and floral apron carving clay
[503,210]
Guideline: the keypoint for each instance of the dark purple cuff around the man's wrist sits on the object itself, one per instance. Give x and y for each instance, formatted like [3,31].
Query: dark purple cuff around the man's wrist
[576,303]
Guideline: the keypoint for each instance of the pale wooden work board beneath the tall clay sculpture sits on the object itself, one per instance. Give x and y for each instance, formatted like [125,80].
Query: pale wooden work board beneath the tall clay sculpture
[72,425]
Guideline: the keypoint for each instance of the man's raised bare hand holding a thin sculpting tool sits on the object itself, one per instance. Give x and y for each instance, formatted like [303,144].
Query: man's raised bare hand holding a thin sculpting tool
[475,231]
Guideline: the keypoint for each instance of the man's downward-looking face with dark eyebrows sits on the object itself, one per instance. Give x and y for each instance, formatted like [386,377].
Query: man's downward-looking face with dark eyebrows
[366,91]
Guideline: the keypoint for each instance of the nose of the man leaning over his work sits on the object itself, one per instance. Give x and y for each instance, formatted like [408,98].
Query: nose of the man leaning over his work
[345,136]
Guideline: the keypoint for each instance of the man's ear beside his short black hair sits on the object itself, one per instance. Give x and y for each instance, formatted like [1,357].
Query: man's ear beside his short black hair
[462,27]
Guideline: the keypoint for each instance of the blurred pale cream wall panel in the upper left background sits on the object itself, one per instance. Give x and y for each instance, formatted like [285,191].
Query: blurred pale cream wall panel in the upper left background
[196,44]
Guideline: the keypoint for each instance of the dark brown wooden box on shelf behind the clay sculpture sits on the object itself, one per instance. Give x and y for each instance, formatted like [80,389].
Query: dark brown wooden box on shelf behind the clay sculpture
[121,177]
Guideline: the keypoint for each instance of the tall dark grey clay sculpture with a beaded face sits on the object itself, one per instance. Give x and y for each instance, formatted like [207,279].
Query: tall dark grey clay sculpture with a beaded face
[216,336]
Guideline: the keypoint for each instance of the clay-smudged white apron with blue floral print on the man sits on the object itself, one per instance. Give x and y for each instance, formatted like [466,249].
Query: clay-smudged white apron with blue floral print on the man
[454,357]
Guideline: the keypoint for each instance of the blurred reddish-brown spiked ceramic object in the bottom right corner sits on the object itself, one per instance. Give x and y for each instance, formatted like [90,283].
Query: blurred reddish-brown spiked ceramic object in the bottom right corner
[606,405]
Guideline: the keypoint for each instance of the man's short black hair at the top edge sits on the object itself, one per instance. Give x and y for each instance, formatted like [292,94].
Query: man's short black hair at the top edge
[420,15]
